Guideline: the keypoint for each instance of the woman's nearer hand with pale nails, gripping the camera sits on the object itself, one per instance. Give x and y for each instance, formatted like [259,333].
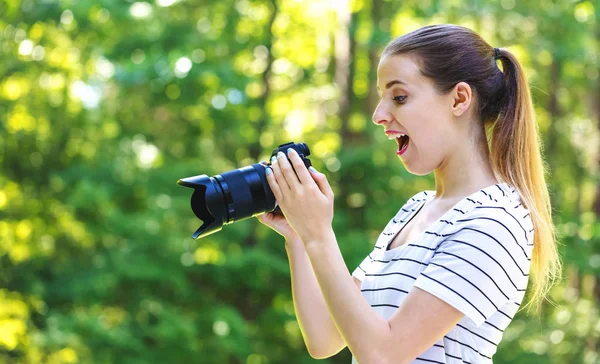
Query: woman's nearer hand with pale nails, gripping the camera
[304,196]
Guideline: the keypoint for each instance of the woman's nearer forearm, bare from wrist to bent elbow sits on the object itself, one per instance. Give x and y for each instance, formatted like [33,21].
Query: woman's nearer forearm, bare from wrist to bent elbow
[362,329]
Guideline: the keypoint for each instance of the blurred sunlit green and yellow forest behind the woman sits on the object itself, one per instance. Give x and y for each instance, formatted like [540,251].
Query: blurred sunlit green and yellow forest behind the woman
[106,103]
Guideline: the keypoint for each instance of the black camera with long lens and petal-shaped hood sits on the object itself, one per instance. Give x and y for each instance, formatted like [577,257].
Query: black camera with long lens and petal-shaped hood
[235,195]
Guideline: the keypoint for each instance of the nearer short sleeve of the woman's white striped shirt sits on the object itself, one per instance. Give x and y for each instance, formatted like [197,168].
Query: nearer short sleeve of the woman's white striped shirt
[479,265]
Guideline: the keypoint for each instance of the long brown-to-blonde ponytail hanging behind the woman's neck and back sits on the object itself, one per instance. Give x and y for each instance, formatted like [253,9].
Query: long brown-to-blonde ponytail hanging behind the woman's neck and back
[517,158]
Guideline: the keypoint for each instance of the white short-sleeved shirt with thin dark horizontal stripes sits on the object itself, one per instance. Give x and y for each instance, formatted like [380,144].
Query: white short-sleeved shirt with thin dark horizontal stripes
[475,257]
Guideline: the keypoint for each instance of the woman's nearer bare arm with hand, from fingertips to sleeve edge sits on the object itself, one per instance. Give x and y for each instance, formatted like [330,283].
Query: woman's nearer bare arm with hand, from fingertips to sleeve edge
[369,336]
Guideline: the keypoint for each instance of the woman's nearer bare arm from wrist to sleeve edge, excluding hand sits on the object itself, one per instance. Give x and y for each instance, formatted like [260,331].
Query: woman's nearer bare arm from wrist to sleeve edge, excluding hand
[421,320]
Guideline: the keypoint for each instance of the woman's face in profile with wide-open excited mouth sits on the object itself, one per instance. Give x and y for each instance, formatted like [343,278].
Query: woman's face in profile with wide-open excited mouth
[410,105]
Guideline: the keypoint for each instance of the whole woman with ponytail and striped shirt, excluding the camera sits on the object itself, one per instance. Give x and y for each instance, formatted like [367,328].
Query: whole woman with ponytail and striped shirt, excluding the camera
[449,271]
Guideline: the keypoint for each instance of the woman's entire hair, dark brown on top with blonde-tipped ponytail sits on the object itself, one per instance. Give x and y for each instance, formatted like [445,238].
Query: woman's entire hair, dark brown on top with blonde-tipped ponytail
[448,54]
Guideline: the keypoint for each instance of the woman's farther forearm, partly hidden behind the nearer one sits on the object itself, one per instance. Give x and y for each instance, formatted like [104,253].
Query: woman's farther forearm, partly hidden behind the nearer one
[320,335]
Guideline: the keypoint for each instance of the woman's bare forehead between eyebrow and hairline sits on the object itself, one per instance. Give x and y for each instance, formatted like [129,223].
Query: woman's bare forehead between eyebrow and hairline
[398,67]
